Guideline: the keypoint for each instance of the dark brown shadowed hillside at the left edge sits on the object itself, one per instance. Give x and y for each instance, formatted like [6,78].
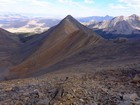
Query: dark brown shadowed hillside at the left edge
[9,46]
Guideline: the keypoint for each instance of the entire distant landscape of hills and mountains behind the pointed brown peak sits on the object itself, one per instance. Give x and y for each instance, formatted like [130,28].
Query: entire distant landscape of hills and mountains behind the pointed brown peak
[107,26]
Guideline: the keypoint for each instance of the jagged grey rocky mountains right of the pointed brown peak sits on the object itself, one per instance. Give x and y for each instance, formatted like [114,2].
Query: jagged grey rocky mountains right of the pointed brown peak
[120,25]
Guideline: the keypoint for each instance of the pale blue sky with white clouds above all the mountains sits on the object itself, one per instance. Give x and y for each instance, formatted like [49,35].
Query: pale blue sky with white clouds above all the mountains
[77,8]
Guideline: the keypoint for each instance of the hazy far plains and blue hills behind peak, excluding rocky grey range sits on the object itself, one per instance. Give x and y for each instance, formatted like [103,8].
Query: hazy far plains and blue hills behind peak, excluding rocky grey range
[19,23]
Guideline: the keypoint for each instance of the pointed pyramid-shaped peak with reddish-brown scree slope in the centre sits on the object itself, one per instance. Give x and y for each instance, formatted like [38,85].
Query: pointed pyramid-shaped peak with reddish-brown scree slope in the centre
[66,39]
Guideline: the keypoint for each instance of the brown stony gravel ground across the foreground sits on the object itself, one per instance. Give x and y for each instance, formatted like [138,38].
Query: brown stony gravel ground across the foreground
[100,88]
